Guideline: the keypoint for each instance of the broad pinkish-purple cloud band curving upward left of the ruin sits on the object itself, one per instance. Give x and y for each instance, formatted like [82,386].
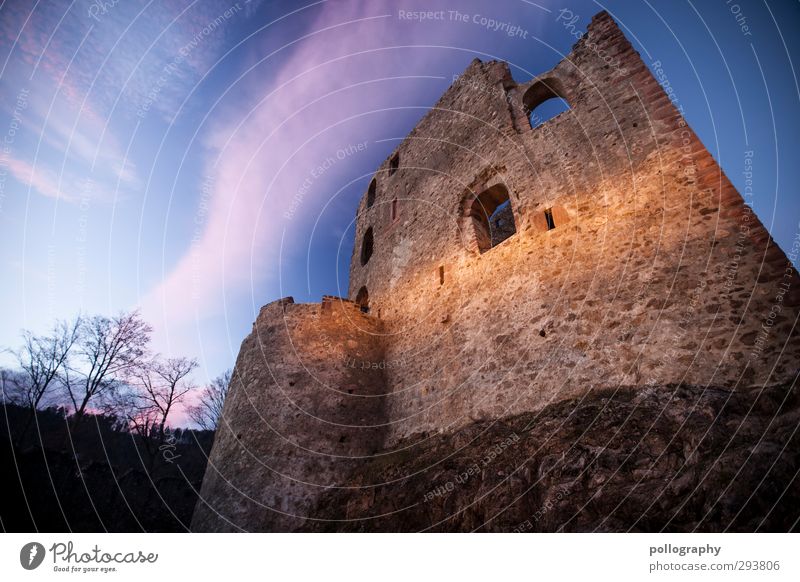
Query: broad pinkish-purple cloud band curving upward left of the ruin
[318,101]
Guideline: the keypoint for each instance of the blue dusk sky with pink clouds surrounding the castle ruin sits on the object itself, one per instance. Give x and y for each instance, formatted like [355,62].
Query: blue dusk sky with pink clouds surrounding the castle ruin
[197,160]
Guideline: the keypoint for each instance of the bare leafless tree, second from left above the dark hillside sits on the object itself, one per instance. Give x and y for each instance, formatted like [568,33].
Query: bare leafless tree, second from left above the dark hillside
[108,349]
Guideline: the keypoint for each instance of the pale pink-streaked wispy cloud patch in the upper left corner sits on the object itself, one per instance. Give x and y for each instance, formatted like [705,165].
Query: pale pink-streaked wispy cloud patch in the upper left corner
[89,73]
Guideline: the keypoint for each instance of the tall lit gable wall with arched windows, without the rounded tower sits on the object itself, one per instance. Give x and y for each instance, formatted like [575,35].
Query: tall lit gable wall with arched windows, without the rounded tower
[633,287]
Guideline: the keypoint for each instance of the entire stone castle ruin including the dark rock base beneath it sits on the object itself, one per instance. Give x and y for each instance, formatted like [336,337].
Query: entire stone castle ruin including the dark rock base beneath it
[591,289]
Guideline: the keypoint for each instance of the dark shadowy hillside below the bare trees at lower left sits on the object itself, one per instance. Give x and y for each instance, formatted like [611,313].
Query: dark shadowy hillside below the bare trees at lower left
[97,477]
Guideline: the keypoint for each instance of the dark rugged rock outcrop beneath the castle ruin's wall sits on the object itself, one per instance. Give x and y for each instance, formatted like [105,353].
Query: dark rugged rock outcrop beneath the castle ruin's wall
[671,458]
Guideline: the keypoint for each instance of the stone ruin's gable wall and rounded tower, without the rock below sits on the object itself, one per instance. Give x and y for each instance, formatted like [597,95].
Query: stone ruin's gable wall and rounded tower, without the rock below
[625,258]
